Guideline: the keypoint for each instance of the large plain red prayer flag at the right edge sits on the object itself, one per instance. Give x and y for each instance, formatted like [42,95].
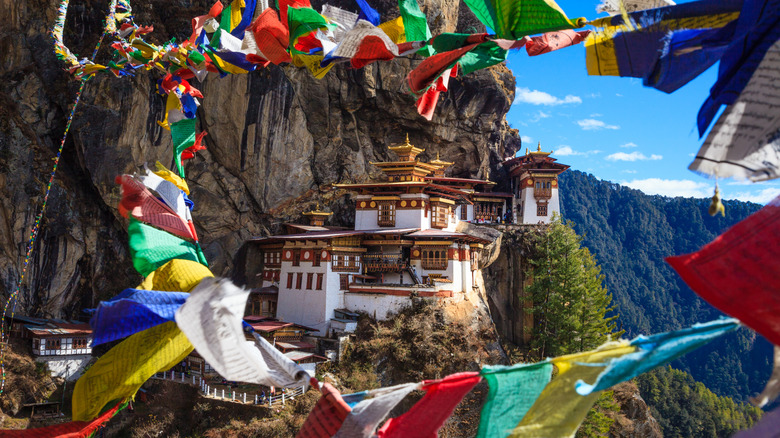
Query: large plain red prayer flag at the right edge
[738,271]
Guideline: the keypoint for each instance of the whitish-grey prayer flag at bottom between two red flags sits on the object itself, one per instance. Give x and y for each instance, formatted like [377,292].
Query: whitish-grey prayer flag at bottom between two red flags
[375,405]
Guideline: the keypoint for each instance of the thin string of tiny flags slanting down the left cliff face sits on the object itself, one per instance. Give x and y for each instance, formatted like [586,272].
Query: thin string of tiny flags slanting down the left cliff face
[36,226]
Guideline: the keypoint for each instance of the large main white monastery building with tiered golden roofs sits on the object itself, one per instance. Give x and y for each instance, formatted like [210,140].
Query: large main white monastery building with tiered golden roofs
[404,244]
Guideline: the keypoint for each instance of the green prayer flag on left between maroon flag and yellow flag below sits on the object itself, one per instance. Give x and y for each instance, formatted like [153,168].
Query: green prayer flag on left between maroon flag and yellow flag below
[152,248]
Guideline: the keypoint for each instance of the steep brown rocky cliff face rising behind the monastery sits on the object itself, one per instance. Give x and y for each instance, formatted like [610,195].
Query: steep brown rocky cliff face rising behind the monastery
[277,140]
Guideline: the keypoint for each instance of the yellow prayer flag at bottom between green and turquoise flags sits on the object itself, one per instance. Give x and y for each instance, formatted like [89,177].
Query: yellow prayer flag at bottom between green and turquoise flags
[559,410]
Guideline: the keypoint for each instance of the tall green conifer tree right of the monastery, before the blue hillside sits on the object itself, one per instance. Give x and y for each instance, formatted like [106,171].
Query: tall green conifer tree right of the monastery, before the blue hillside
[570,304]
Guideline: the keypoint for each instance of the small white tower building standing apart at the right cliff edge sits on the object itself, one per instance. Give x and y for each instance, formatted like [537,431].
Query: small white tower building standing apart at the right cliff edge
[535,186]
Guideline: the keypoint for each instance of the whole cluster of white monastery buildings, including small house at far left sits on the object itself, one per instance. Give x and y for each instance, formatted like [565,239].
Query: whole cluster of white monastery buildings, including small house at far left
[309,286]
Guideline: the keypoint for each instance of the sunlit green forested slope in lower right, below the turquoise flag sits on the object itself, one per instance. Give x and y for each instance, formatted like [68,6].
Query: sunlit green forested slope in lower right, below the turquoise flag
[685,407]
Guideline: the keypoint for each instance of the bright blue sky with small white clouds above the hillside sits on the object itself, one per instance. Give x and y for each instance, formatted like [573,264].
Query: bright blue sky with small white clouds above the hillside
[614,127]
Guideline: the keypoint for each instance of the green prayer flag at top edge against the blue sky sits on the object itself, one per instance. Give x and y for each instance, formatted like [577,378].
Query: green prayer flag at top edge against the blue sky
[514,19]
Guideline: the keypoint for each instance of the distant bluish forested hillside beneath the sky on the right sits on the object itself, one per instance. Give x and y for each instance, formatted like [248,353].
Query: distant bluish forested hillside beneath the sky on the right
[630,233]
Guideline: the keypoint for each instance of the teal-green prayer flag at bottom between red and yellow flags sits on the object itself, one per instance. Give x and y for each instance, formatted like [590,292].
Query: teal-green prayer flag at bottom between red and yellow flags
[511,393]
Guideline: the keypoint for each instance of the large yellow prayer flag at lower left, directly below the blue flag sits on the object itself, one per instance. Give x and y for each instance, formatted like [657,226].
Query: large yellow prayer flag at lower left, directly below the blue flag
[121,372]
